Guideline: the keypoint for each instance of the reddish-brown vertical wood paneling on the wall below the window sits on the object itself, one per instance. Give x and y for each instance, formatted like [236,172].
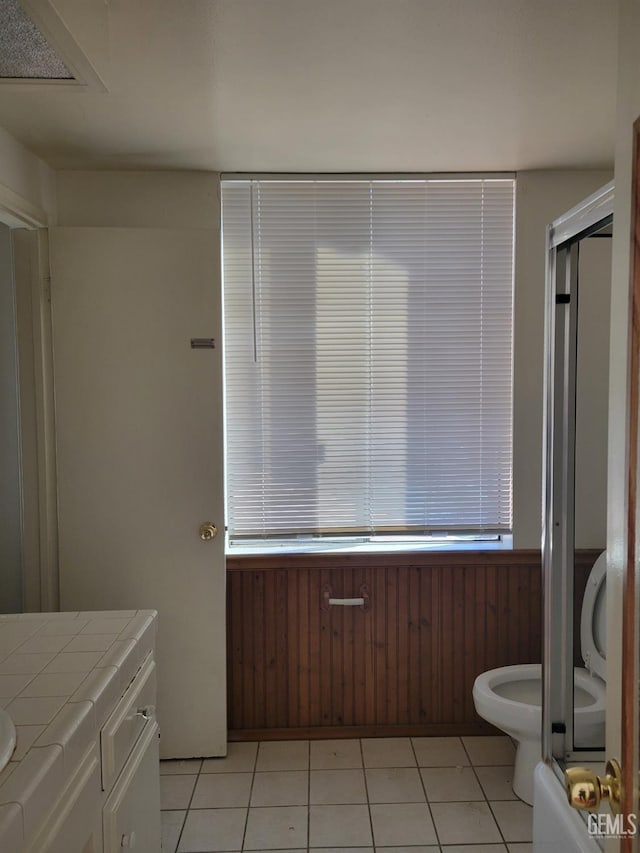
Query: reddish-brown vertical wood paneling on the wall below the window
[404,665]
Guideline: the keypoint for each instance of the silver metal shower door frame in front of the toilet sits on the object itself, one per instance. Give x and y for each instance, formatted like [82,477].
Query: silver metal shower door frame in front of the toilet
[558,487]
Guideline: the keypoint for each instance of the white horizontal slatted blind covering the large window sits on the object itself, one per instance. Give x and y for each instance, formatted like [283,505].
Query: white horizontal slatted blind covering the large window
[368,356]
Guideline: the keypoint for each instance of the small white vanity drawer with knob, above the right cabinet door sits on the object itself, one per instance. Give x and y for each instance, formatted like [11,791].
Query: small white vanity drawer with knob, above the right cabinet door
[120,733]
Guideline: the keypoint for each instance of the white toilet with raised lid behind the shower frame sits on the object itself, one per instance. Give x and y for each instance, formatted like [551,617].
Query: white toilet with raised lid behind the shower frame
[510,697]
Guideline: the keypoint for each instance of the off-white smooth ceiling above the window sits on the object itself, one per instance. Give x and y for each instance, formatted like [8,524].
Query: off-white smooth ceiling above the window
[330,85]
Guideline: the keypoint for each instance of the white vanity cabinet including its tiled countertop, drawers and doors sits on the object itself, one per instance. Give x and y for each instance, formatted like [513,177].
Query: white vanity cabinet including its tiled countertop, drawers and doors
[89,783]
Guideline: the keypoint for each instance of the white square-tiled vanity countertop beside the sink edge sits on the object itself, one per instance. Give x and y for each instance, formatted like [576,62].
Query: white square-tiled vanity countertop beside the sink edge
[61,675]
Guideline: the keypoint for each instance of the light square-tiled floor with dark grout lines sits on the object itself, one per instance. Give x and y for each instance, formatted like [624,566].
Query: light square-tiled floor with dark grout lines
[391,795]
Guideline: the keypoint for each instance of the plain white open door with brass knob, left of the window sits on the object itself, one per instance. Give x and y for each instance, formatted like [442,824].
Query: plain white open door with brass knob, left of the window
[139,450]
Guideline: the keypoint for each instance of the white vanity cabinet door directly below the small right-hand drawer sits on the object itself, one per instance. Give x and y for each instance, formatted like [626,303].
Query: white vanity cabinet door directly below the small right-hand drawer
[131,814]
